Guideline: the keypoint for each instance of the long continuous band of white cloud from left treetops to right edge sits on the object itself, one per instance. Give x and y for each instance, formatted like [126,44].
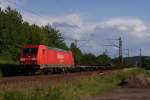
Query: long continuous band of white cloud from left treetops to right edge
[74,25]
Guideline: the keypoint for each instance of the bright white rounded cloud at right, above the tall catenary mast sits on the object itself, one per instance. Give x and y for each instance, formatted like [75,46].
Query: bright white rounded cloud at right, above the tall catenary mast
[132,26]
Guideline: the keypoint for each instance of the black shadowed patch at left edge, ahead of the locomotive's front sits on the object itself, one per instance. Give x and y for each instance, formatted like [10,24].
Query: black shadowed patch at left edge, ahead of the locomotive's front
[11,70]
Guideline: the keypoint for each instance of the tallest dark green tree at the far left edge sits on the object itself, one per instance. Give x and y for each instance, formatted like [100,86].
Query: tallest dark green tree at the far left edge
[12,36]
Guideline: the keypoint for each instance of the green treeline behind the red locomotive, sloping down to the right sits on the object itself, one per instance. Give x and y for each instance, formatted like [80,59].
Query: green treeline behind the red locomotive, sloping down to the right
[14,33]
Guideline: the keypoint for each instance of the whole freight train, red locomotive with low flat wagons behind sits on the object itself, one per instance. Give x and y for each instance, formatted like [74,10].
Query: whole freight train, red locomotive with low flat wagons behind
[41,58]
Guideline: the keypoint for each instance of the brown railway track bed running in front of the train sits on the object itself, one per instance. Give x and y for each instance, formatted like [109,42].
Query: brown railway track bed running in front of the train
[23,81]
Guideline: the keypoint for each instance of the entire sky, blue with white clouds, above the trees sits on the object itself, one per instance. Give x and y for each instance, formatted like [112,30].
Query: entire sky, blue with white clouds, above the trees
[97,21]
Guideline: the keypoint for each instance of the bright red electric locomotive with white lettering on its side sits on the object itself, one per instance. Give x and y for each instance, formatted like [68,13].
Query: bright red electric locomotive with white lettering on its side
[37,57]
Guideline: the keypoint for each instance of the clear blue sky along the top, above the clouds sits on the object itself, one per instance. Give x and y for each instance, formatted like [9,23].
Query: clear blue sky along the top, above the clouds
[96,9]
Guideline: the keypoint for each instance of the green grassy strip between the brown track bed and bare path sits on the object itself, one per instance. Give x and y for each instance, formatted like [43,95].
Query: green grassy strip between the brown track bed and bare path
[72,90]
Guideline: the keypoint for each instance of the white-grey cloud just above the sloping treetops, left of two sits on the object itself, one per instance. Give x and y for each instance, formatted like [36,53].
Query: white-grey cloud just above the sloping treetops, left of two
[72,25]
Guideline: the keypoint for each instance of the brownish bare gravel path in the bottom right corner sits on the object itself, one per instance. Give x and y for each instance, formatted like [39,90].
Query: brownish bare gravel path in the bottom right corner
[124,94]
